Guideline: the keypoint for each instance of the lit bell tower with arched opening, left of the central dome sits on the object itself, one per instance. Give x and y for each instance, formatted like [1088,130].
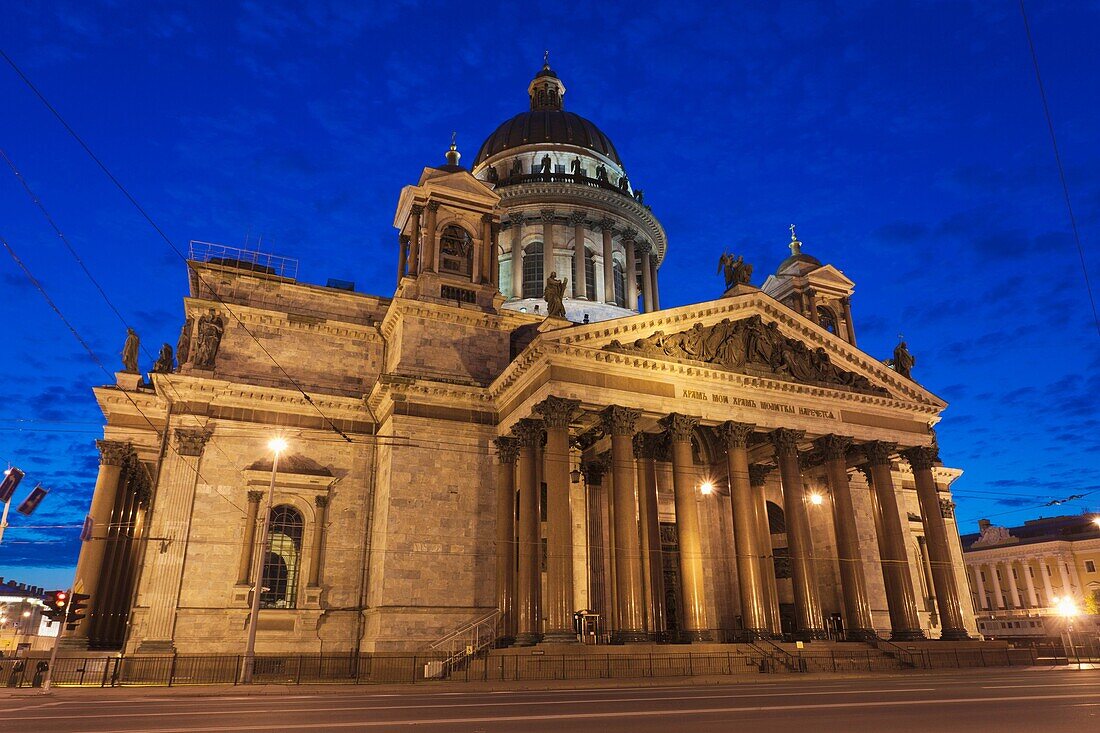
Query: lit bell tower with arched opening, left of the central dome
[448,228]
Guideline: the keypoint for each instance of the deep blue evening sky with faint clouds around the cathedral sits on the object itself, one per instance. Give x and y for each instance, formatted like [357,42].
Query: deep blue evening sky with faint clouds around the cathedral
[906,139]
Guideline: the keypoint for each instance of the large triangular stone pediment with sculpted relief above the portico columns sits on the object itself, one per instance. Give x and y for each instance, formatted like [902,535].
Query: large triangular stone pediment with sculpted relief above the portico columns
[753,335]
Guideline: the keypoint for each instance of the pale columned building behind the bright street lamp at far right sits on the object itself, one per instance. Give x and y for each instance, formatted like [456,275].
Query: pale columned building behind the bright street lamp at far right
[1018,575]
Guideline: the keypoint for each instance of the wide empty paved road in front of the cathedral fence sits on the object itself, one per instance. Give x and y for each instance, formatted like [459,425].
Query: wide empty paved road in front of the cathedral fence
[1004,701]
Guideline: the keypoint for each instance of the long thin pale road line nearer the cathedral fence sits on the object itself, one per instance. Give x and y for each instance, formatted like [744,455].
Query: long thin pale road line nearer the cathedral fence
[452,705]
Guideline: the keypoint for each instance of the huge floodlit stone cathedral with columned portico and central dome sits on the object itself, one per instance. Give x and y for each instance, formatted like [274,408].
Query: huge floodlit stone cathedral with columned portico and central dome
[520,437]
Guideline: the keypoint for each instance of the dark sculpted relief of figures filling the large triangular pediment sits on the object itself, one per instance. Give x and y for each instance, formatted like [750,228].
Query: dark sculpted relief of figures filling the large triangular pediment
[750,346]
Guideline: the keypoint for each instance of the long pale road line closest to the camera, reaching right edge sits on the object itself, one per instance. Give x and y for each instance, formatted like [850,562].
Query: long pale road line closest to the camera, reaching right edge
[590,716]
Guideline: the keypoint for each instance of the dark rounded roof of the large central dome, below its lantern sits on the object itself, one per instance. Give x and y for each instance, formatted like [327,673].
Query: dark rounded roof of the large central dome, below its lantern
[547,126]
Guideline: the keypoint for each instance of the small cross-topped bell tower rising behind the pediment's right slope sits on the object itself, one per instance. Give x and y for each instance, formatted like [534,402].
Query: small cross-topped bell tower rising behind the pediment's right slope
[820,293]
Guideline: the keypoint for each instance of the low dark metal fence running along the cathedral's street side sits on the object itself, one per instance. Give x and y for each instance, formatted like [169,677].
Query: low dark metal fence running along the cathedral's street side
[380,670]
